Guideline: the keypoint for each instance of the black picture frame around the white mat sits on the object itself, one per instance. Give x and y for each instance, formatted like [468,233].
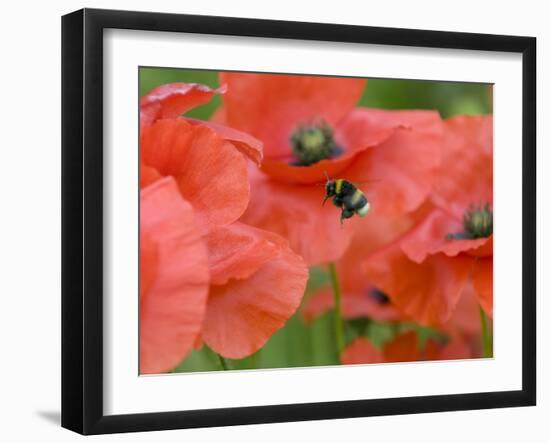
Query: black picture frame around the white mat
[82,220]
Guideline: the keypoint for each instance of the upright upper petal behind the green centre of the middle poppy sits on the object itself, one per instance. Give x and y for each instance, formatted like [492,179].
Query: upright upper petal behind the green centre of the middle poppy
[271,106]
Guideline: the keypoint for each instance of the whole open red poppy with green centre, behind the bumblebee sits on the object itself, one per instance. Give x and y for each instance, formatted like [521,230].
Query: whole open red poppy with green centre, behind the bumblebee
[309,127]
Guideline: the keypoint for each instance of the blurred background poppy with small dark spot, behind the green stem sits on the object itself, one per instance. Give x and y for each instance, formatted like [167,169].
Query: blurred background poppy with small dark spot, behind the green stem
[359,297]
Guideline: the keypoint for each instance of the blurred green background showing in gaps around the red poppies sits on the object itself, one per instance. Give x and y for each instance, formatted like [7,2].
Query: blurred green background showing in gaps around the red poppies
[300,344]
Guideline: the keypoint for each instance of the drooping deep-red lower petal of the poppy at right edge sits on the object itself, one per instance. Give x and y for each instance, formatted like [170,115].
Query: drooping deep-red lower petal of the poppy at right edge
[427,292]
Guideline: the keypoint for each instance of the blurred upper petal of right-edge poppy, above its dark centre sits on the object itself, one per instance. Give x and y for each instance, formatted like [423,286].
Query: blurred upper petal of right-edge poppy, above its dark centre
[466,175]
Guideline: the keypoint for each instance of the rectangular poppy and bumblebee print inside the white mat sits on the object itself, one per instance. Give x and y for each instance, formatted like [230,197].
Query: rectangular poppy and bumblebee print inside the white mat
[298,220]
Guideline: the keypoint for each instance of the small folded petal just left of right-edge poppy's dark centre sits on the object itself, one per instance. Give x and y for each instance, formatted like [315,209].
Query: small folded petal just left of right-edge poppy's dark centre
[429,237]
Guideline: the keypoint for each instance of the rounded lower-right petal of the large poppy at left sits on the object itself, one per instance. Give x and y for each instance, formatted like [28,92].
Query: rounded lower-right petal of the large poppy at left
[244,312]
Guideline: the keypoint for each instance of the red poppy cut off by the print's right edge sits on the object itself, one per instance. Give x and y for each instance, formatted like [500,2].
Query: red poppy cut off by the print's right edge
[425,271]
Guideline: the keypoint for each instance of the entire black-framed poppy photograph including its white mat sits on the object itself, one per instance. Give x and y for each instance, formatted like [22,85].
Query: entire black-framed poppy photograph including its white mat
[270,221]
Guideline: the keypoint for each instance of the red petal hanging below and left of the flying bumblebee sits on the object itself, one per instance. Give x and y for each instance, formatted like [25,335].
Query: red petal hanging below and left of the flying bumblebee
[296,213]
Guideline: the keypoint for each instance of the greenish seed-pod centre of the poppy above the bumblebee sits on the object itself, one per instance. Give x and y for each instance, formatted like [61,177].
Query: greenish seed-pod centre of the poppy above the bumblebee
[313,142]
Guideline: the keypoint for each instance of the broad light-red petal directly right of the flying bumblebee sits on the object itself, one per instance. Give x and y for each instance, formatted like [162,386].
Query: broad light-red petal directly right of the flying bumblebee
[398,174]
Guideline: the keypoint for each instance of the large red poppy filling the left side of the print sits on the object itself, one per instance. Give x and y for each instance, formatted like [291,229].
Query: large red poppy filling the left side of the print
[207,165]
